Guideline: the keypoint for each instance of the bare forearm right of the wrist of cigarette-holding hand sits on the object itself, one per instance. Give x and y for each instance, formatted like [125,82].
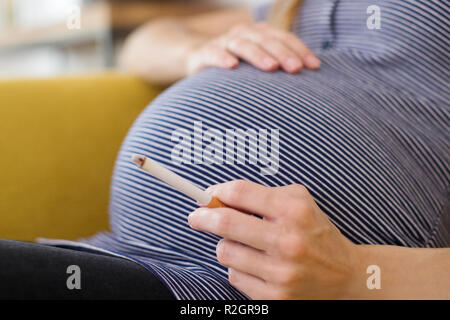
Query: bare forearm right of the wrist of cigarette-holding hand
[406,273]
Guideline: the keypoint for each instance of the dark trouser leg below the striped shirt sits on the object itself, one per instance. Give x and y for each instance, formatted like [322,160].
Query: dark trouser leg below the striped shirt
[36,271]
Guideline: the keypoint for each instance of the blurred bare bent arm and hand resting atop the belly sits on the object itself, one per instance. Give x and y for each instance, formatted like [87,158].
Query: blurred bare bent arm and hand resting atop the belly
[181,47]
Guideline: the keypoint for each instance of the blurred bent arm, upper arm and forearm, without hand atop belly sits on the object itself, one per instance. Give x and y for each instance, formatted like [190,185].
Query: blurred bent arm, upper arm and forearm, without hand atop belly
[159,50]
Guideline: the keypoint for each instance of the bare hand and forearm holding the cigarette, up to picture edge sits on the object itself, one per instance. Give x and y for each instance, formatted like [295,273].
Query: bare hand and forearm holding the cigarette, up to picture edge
[295,252]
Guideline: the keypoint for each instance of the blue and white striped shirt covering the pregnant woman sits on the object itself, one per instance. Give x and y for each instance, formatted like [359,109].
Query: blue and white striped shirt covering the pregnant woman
[368,135]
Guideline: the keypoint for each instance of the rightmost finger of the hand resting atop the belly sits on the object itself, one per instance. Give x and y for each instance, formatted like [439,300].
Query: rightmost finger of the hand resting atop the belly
[308,57]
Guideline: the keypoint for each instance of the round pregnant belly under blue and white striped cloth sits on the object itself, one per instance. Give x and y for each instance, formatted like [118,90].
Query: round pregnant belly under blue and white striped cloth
[274,129]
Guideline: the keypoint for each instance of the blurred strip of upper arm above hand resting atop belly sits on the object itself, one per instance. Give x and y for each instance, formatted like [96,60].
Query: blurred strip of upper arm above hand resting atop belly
[218,22]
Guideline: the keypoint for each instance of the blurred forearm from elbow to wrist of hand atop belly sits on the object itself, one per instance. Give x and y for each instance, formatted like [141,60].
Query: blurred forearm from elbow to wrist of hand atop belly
[157,51]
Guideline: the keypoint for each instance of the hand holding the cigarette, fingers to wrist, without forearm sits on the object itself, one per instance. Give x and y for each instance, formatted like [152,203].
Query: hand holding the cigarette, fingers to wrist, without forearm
[293,252]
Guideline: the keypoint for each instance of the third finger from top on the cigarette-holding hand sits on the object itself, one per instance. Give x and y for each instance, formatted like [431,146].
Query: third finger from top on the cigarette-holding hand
[245,259]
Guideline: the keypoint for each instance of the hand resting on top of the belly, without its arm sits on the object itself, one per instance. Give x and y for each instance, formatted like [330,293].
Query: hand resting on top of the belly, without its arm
[264,47]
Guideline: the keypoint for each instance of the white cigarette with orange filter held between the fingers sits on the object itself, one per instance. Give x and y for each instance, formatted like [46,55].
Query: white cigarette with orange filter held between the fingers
[177,182]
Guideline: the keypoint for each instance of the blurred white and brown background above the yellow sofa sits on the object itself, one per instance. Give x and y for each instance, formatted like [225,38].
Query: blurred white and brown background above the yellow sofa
[51,37]
